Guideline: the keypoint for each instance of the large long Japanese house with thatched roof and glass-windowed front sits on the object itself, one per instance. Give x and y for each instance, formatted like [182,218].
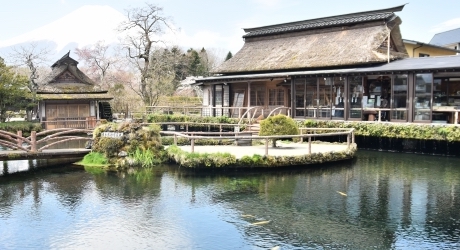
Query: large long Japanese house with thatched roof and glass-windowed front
[347,67]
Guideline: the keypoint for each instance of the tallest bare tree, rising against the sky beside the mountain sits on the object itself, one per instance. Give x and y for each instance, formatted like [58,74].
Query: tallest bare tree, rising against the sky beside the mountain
[143,30]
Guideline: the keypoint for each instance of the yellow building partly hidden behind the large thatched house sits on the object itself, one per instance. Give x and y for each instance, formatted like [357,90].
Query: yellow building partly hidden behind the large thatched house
[419,49]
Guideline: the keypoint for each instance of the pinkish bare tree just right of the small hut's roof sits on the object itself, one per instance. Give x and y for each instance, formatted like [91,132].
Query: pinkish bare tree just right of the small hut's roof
[98,60]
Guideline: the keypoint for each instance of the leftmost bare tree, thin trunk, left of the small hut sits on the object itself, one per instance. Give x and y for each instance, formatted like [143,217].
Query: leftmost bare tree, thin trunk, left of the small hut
[32,57]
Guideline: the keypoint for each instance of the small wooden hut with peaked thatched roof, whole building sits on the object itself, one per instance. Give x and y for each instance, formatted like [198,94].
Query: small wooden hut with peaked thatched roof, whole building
[70,99]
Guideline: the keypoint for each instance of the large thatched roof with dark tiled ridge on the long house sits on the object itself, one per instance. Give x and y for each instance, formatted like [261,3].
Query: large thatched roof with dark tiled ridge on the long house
[346,40]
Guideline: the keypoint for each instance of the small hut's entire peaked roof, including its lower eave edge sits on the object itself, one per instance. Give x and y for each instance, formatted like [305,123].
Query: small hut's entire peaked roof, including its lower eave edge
[66,82]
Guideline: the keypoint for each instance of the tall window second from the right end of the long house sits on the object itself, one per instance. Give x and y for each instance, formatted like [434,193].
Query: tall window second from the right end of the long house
[422,97]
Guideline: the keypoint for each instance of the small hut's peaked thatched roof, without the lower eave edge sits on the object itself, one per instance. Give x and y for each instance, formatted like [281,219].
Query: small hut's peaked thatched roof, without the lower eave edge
[65,77]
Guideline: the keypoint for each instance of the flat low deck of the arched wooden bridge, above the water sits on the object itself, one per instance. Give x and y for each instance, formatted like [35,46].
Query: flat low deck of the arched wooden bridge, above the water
[9,155]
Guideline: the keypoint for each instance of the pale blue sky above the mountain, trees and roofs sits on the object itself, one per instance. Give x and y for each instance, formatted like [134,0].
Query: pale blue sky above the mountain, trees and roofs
[219,23]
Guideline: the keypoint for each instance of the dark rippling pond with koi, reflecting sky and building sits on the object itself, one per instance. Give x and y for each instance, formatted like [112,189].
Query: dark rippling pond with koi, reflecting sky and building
[377,201]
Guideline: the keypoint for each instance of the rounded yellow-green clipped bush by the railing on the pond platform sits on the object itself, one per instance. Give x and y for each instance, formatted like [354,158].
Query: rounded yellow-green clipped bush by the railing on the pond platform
[278,125]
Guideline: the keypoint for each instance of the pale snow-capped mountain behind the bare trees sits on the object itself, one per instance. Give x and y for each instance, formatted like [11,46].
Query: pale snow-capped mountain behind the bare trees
[84,26]
